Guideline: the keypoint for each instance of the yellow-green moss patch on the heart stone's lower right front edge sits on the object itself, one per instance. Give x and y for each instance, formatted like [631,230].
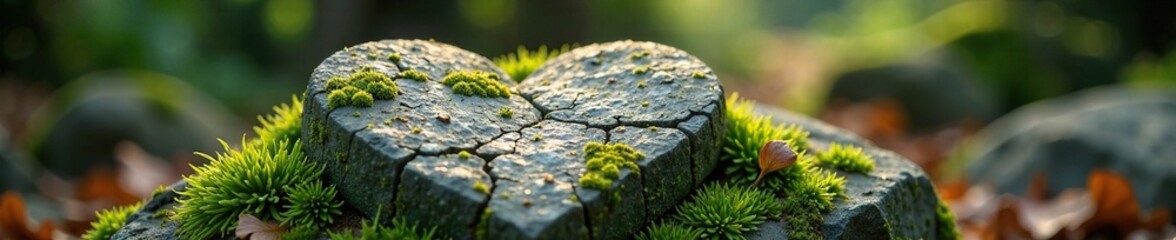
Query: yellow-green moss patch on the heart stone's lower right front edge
[605,163]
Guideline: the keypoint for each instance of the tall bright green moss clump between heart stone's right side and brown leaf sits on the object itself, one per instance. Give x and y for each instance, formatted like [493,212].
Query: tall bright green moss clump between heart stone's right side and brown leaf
[747,134]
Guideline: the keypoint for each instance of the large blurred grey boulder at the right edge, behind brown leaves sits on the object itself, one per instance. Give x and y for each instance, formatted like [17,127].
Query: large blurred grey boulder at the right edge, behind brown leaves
[1127,130]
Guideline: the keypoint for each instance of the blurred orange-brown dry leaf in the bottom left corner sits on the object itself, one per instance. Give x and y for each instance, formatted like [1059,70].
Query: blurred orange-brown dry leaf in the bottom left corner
[15,219]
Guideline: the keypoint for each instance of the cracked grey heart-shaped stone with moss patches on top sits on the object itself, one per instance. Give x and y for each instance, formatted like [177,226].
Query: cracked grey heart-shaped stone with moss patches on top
[509,166]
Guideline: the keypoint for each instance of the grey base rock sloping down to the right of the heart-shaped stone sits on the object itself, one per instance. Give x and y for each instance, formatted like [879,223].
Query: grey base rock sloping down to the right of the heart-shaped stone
[897,201]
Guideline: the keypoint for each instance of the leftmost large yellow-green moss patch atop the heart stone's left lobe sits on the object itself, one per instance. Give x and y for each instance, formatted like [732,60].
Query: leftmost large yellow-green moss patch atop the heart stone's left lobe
[360,89]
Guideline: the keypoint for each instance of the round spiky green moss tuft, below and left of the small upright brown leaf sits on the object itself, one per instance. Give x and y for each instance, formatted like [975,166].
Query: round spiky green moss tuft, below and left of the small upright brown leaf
[727,211]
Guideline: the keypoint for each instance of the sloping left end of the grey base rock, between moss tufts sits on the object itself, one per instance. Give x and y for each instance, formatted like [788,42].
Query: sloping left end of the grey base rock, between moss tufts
[151,222]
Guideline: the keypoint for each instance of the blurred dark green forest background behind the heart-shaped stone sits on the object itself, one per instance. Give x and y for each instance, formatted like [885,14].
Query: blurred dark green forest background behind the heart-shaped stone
[899,72]
